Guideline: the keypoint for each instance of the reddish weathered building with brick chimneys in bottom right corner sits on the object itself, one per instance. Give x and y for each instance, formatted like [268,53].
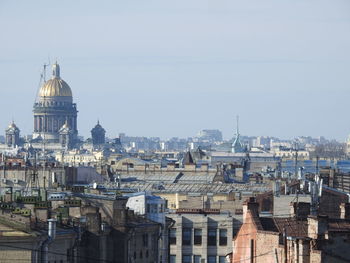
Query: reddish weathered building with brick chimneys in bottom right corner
[314,239]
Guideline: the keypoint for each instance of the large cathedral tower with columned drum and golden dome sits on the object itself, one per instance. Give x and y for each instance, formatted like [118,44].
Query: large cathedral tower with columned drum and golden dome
[53,108]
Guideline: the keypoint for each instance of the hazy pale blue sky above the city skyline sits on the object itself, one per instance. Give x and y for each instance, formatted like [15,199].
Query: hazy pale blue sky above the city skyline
[171,68]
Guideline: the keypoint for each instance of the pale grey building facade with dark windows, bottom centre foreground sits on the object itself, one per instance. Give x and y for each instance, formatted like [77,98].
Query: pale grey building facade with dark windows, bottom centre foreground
[198,237]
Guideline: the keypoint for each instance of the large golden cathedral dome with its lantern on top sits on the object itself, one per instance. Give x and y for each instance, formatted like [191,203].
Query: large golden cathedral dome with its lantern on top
[55,87]
